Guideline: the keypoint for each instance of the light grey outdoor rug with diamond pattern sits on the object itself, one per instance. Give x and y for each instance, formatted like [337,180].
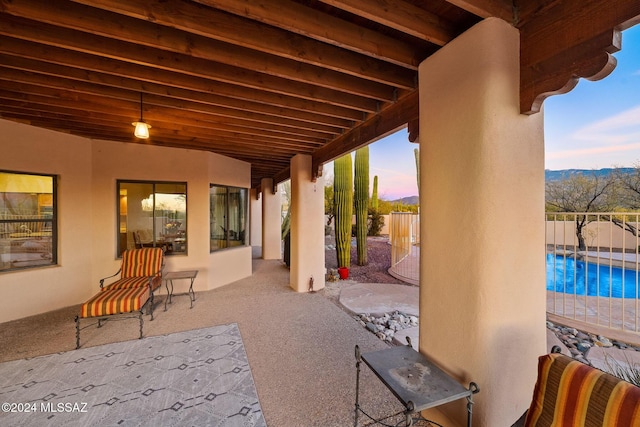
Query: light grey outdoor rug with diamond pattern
[195,378]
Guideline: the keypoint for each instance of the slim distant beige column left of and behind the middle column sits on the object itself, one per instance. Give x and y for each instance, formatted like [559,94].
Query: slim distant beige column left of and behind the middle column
[271,221]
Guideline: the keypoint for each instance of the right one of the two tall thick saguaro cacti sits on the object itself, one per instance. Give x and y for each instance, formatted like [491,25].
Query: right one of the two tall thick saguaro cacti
[362,202]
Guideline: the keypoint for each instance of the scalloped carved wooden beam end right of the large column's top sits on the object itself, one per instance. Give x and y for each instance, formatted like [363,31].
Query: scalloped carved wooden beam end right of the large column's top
[564,42]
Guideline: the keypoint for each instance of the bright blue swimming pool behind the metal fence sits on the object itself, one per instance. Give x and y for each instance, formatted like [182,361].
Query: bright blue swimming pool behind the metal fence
[572,275]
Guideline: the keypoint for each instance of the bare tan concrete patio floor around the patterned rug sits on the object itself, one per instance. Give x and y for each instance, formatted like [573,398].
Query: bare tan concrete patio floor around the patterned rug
[300,345]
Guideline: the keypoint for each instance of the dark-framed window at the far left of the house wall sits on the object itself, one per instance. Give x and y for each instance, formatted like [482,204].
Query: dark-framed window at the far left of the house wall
[28,220]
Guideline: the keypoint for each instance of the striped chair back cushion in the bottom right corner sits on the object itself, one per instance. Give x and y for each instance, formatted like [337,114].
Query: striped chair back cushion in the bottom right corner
[569,393]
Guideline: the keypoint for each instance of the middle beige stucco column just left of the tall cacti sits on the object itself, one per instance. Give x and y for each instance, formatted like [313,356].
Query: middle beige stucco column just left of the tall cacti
[307,226]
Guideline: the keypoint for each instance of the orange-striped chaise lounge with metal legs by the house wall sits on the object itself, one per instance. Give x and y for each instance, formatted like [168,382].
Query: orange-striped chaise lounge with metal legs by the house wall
[140,275]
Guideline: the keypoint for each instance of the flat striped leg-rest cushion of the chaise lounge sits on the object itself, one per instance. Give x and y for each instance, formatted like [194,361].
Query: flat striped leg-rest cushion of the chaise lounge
[115,301]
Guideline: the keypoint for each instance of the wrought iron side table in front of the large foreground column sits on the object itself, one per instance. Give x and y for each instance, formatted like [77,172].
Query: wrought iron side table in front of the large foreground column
[414,380]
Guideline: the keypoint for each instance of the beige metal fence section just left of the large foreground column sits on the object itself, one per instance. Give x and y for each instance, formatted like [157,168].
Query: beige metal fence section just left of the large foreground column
[404,236]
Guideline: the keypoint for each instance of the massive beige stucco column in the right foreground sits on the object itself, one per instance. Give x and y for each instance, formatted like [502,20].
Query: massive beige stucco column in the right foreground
[482,284]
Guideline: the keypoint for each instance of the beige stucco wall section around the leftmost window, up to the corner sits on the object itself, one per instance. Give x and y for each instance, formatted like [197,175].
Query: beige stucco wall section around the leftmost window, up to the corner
[32,150]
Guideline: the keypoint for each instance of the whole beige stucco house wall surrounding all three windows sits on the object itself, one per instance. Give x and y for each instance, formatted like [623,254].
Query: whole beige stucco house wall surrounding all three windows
[87,172]
